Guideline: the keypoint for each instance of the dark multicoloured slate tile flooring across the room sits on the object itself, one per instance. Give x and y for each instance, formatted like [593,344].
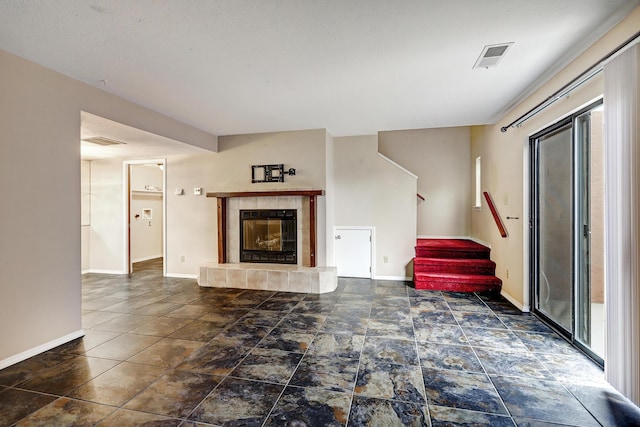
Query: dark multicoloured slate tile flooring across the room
[161,351]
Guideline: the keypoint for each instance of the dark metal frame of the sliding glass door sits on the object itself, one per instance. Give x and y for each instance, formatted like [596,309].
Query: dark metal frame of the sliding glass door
[580,264]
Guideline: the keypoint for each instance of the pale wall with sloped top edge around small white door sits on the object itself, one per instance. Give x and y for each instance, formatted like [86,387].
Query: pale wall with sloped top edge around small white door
[371,191]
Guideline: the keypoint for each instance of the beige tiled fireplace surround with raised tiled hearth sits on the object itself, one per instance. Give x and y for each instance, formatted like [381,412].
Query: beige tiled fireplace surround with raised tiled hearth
[276,277]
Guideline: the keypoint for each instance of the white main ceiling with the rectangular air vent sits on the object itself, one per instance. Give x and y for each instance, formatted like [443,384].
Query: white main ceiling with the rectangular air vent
[353,67]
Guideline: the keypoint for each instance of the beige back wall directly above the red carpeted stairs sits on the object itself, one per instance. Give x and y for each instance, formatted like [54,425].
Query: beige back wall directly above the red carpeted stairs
[440,158]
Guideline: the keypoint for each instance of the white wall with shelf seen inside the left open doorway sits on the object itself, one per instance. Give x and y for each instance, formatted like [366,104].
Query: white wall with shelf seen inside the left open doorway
[146,234]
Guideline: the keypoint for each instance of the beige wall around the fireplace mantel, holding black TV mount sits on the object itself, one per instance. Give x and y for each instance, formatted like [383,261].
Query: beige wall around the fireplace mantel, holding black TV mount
[192,220]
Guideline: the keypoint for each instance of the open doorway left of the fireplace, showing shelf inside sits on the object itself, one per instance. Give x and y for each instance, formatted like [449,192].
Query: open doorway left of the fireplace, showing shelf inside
[145,215]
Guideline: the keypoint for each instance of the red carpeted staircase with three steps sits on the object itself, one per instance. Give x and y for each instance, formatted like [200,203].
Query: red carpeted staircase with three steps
[454,265]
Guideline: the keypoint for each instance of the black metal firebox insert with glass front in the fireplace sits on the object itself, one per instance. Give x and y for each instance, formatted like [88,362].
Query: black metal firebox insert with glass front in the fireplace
[268,235]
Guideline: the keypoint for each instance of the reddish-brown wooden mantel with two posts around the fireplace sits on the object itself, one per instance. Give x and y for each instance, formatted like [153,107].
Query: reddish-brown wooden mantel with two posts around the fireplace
[222,216]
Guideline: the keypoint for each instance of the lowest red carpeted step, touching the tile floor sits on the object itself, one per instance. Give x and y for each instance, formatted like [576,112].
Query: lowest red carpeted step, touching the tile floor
[457,282]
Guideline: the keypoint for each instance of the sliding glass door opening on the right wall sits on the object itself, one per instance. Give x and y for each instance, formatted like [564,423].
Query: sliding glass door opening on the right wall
[567,228]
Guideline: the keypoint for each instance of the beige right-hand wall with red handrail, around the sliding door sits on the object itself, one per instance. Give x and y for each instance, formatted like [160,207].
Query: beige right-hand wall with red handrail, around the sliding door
[505,162]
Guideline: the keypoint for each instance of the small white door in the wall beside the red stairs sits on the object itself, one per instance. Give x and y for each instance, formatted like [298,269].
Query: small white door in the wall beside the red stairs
[353,252]
